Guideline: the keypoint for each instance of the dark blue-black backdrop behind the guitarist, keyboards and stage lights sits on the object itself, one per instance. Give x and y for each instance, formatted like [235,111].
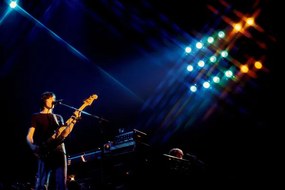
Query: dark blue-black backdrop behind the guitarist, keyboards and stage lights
[121,51]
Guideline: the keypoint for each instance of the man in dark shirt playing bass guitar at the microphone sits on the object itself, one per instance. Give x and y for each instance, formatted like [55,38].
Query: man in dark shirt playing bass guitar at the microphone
[46,136]
